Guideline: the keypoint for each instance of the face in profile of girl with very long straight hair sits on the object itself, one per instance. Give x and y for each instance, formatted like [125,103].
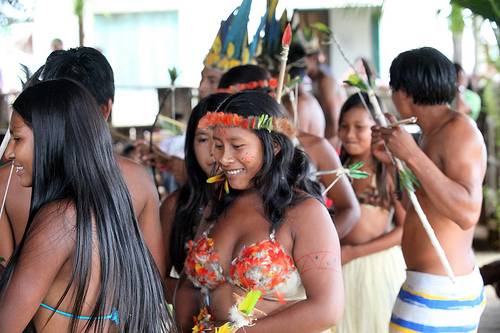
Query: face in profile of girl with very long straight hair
[20,149]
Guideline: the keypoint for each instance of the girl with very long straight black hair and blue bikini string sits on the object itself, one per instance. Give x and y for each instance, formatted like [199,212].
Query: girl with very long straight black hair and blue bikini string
[82,264]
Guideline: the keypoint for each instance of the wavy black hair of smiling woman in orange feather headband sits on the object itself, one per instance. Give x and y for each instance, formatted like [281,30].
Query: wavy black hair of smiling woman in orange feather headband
[283,180]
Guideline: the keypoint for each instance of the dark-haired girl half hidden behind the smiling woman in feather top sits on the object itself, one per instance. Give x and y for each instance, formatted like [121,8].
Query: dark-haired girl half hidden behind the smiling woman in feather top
[182,212]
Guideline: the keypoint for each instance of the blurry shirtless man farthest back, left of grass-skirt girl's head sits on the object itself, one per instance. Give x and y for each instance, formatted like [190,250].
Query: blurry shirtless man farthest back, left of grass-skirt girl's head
[327,92]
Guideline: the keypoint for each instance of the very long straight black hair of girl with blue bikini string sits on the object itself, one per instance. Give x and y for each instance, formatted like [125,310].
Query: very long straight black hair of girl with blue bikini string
[74,162]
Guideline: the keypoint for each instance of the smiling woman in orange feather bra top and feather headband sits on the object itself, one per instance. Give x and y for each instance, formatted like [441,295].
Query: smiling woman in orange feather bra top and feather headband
[269,229]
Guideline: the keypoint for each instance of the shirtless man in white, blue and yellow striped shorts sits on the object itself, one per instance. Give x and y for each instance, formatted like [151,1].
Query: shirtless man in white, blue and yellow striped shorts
[450,163]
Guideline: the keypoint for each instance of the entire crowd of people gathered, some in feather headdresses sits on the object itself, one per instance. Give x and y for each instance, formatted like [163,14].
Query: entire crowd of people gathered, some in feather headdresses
[262,210]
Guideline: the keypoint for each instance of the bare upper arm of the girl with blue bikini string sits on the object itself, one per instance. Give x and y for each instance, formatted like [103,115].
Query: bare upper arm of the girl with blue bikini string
[46,250]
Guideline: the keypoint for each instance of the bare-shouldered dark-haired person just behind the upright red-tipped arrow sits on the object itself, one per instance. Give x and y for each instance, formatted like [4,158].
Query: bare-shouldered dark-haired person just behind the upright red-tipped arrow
[311,119]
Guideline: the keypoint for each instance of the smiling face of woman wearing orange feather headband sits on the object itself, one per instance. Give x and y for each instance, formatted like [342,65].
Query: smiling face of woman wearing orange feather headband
[239,152]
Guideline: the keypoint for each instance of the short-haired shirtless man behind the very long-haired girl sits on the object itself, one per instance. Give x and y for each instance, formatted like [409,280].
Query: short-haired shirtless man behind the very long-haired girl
[89,67]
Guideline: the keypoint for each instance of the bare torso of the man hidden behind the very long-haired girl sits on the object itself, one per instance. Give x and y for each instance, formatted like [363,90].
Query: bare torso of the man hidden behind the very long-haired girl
[144,200]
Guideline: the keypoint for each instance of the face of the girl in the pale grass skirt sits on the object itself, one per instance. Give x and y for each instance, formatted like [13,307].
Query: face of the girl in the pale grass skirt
[355,131]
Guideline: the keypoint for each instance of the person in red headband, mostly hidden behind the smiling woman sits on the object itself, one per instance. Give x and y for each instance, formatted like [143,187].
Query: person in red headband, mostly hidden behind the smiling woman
[321,153]
